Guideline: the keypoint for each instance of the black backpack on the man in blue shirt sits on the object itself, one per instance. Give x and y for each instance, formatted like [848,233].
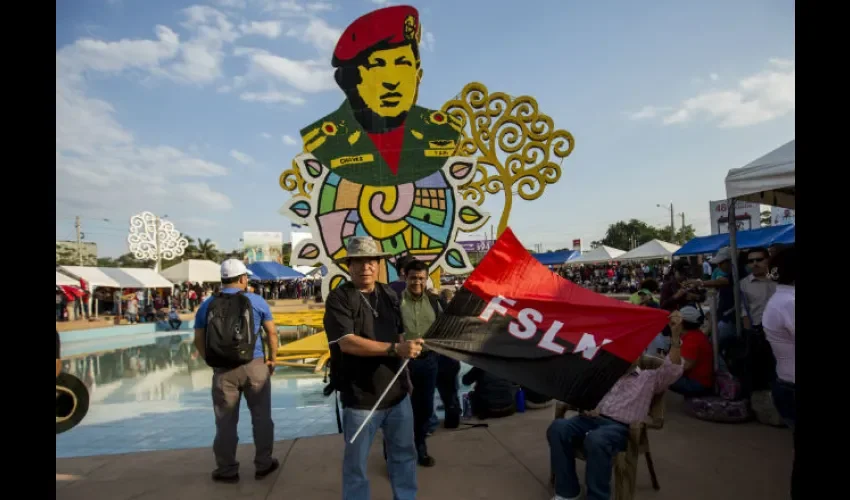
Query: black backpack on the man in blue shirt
[230,337]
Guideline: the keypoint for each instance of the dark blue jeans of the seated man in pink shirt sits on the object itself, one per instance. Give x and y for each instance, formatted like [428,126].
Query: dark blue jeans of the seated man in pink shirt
[603,439]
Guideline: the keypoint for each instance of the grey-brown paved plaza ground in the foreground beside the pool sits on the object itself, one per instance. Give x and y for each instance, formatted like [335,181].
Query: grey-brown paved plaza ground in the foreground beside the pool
[694,460]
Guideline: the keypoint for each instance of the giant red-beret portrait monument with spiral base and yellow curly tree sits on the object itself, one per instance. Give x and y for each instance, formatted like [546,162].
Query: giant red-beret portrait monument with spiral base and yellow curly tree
[410,177]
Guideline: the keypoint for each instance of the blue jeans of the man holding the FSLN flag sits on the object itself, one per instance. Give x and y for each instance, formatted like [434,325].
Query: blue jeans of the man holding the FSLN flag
[397,426]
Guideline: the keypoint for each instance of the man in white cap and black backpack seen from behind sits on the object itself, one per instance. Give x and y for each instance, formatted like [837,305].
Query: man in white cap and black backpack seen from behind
[228,337]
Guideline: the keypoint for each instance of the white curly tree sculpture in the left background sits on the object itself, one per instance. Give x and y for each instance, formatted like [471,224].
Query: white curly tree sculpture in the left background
[151,238]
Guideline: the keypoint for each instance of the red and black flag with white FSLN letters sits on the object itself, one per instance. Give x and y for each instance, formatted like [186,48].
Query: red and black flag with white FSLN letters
[519,321]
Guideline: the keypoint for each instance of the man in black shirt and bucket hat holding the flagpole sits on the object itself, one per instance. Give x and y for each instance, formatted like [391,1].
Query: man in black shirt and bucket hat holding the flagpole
[364,328]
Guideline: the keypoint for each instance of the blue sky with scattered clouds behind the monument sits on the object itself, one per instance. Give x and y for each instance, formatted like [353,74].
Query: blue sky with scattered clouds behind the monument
[188,108]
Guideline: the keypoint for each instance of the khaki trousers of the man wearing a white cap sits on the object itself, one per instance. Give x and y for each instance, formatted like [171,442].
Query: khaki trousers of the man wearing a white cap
[253,380]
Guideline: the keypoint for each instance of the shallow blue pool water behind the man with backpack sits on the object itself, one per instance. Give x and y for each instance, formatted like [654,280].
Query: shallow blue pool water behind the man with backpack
[155,395]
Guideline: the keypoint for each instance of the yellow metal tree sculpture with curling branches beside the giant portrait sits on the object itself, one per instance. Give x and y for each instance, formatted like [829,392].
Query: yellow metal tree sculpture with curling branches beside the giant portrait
[498,123]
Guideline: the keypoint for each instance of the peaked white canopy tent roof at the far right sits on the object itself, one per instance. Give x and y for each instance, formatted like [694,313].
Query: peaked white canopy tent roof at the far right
[769,180]
